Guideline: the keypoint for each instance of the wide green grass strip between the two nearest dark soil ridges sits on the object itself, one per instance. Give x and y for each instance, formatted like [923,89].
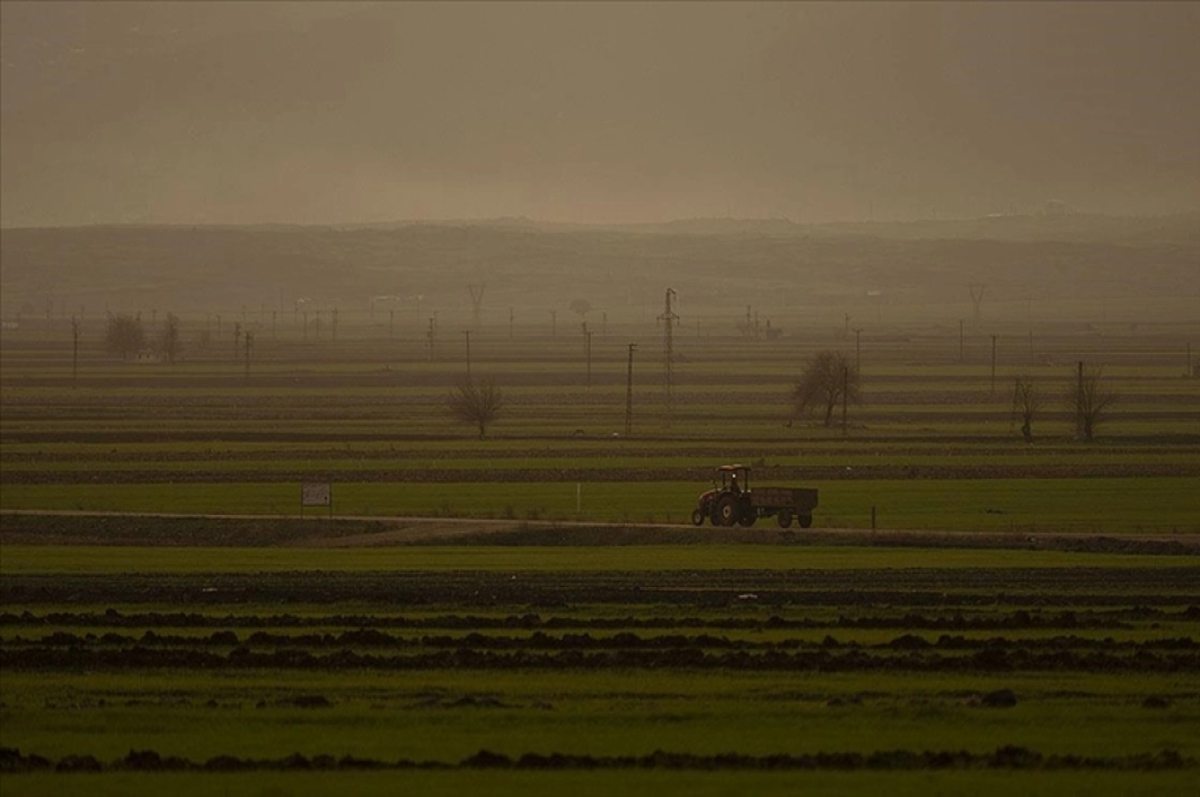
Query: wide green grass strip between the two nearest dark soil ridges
[633,714]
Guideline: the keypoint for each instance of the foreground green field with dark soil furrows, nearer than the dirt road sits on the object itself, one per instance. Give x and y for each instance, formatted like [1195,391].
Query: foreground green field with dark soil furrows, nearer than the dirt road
[577,651]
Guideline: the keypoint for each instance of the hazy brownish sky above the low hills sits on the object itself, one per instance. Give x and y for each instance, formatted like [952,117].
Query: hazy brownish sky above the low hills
[274,112]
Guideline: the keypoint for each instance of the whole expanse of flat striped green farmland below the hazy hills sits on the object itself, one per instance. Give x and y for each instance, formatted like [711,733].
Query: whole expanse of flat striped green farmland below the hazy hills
[537,610]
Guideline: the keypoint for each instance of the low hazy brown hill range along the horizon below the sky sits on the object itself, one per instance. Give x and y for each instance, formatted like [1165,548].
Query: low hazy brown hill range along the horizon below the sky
[719,266]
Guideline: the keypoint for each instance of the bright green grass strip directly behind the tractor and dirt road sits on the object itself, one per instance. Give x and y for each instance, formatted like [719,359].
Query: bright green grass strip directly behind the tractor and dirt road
[1094,506]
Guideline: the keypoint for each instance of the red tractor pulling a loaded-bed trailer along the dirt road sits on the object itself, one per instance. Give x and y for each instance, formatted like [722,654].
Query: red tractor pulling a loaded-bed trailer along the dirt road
[731,501]
